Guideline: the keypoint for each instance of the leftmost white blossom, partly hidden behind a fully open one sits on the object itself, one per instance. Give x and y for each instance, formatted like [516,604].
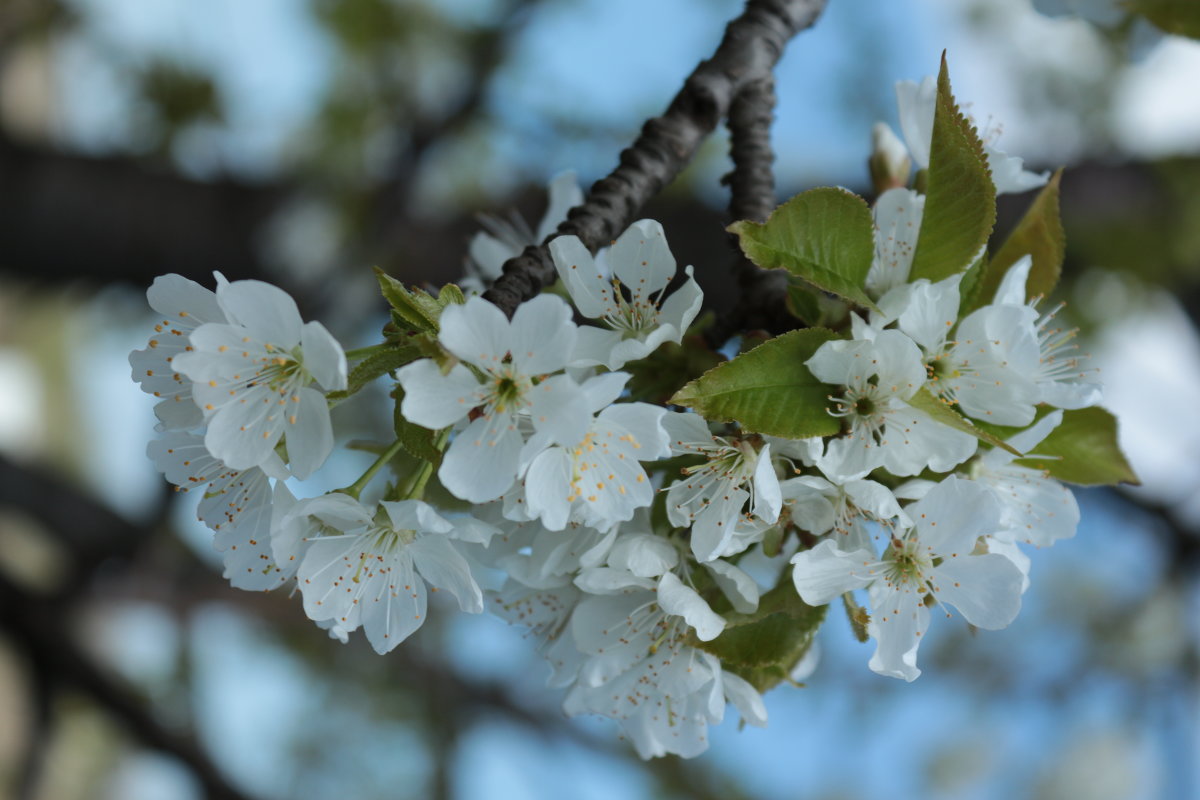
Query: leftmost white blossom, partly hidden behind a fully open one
[185,305]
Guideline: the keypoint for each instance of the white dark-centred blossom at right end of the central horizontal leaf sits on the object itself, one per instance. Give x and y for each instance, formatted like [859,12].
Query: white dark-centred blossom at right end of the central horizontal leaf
[880,376]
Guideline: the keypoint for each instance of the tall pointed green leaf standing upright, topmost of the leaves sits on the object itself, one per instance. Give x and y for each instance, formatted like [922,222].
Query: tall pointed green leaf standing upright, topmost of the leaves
[961,199]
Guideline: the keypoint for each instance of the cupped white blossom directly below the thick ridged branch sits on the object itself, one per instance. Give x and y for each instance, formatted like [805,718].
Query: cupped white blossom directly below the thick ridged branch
[638,323]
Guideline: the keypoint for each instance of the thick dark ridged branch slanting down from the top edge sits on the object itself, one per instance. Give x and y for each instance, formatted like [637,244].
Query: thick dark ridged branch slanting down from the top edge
[748,53]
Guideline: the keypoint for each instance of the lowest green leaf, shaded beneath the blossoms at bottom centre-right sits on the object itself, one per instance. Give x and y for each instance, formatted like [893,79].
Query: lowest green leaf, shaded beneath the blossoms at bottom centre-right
[765,646]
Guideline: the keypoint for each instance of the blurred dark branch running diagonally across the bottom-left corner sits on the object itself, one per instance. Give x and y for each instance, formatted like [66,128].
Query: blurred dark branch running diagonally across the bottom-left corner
[41,628]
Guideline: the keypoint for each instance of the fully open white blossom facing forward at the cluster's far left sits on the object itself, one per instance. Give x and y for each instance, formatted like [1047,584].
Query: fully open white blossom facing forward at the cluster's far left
[255,376]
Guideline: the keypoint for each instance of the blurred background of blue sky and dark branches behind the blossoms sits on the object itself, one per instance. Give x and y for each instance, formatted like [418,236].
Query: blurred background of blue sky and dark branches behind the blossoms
[303,142]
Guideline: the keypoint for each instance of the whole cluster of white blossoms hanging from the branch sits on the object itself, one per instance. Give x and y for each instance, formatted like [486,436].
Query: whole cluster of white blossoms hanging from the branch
[629,536]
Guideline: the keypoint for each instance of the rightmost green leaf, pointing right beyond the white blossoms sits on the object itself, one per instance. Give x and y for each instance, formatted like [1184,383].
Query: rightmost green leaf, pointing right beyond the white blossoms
[1087,443]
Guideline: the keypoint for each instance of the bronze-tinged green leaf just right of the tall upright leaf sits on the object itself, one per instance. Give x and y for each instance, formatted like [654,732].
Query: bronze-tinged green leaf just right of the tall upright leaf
[1039,234]
